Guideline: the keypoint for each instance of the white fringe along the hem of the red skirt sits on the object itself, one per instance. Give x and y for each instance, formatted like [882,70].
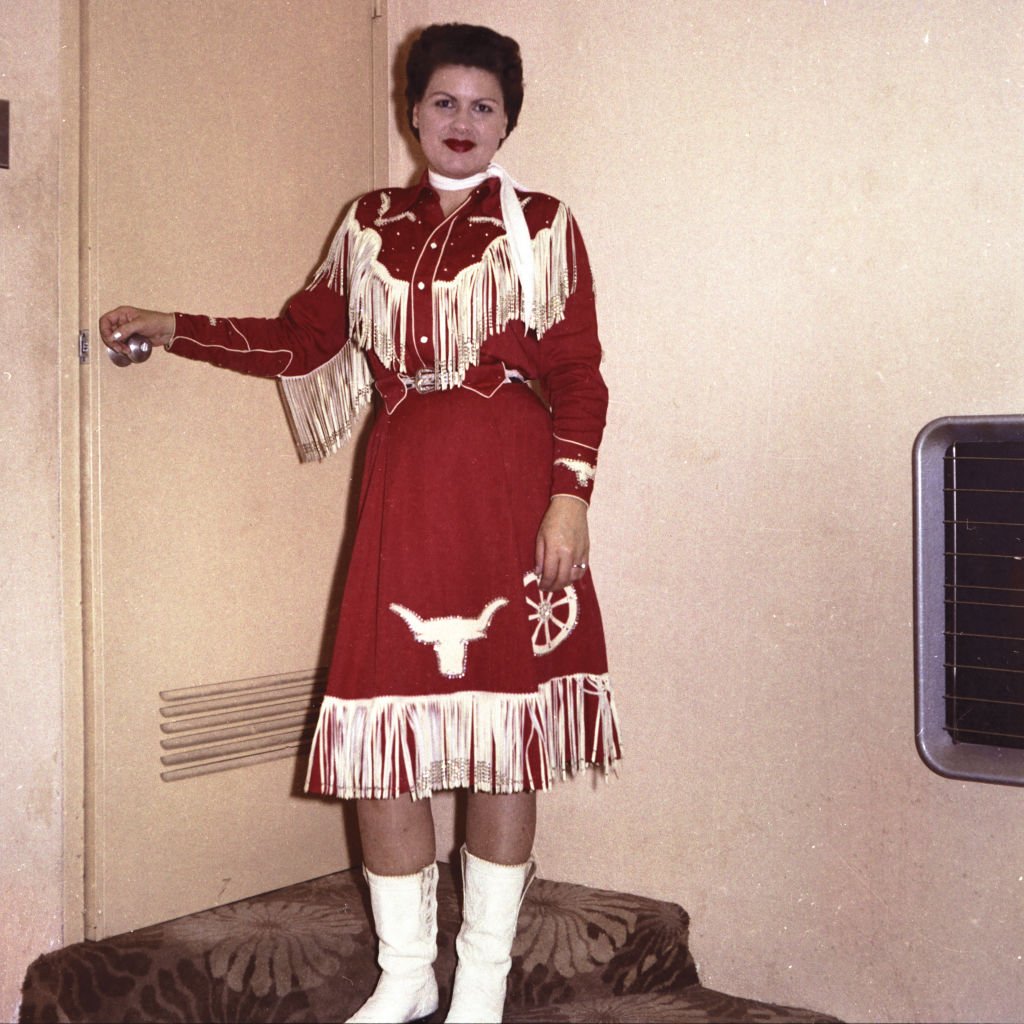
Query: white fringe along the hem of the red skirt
[364,749]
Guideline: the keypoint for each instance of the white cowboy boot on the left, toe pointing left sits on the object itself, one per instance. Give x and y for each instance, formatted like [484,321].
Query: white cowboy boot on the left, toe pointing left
[406,918]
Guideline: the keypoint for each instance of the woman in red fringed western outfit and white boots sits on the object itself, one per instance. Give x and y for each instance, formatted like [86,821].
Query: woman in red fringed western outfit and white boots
[470,651]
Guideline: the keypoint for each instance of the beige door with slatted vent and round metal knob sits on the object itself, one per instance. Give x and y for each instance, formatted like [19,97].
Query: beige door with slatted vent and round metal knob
[222,141]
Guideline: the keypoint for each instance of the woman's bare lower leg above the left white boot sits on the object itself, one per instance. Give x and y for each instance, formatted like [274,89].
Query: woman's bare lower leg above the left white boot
[398,835]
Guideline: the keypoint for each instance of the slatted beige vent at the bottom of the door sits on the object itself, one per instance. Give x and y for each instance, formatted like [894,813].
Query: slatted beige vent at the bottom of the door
[224,727]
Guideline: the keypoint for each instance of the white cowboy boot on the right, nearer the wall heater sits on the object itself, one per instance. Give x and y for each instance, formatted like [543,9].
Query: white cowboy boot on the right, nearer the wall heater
[493,895]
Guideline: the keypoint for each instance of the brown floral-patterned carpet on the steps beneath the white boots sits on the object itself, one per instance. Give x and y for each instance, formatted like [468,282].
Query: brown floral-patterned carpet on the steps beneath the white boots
[308,954]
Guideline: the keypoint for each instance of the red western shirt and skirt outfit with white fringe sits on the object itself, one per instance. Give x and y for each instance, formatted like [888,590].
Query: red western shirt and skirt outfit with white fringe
[451,667]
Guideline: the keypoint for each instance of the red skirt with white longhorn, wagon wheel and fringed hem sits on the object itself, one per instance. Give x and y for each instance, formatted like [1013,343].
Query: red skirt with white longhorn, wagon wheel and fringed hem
[451,667]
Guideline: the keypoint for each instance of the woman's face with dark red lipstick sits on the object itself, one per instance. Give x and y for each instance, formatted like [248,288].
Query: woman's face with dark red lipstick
[461,120]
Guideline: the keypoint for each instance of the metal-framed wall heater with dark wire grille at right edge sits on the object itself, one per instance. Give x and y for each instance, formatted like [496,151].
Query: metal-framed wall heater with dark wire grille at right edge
[970,598]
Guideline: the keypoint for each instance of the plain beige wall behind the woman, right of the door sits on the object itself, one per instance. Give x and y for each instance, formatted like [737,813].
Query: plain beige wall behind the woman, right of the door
[806,227]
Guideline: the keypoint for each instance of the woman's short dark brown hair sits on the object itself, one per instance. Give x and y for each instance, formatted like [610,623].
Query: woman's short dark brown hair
[466,47]
